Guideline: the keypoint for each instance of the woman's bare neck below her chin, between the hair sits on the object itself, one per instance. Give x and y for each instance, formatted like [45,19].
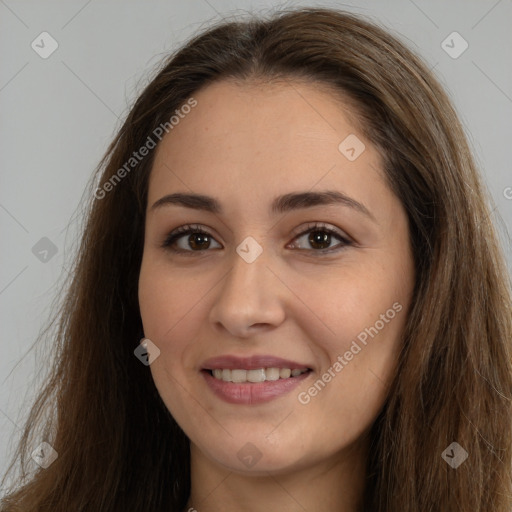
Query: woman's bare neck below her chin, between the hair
[334,484]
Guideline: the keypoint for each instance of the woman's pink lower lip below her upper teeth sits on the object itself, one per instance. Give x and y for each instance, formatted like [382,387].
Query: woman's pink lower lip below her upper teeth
[249,393]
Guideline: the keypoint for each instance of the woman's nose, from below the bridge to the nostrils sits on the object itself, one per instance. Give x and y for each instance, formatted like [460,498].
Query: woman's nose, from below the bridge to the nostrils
[249,300]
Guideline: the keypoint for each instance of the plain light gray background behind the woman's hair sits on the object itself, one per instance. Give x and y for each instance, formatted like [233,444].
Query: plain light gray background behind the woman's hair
[58,115]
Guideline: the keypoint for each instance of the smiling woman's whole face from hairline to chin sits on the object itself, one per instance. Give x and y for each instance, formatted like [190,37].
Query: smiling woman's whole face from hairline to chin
[297,258]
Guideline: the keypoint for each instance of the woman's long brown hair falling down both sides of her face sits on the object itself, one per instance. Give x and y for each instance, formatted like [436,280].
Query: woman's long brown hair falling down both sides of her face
[120,449]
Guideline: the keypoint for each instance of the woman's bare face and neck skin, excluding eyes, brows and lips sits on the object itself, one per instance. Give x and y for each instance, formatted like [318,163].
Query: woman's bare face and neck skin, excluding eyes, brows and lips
[245,144]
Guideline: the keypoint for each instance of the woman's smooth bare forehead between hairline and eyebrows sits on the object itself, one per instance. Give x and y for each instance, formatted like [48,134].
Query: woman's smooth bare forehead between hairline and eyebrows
[261,140]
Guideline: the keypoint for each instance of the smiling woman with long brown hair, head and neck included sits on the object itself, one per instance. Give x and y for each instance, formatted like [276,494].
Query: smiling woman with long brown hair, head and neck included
[289,294]
